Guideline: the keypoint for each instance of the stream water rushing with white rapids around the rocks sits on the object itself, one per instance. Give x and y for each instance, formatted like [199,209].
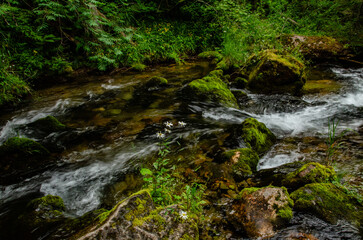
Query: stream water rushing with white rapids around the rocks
[112,127]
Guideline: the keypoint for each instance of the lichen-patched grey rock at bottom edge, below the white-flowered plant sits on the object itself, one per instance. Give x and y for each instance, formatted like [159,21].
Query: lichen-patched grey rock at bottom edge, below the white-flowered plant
[137,218]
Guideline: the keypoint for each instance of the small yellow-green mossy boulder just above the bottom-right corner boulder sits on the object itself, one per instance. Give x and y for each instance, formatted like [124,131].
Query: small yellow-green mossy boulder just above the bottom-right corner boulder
[309,173]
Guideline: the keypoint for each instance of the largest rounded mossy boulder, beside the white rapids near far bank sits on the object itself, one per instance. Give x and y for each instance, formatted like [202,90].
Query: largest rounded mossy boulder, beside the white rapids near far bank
[269,72]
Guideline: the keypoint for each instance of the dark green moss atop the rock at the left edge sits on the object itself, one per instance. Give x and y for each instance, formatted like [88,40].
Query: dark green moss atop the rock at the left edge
[22,147]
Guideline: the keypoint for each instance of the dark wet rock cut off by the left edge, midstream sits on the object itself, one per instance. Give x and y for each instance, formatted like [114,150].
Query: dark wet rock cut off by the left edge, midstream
[20,157]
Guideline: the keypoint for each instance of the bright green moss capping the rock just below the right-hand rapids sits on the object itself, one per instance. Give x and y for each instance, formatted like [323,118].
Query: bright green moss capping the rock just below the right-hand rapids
[257,136]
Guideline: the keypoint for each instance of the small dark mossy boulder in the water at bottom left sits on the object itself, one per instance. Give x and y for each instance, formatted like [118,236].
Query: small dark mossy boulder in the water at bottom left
[42,213]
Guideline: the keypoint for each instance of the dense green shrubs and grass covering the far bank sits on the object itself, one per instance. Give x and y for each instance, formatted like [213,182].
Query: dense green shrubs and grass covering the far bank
[41,38]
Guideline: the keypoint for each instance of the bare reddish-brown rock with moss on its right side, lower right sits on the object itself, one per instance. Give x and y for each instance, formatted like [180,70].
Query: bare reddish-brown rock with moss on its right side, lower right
[262,210]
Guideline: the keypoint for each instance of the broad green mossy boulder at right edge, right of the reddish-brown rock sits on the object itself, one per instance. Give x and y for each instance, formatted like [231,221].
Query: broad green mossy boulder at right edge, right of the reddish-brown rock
[328,202]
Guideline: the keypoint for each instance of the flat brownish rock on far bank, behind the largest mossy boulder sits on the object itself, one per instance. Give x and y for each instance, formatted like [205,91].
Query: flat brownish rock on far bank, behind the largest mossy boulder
[316,47]
